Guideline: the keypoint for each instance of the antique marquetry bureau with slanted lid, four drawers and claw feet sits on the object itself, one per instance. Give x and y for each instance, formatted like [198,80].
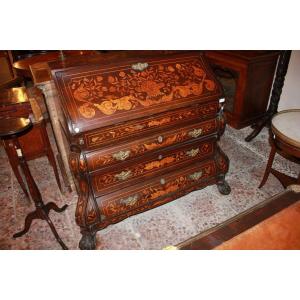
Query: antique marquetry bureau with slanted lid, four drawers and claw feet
[142,131]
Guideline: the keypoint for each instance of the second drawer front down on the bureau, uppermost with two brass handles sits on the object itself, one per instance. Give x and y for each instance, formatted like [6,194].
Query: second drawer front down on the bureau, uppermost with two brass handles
[124,152]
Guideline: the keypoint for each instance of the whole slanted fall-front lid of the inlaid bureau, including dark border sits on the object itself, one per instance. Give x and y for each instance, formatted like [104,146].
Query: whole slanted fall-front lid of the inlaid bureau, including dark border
[101,94]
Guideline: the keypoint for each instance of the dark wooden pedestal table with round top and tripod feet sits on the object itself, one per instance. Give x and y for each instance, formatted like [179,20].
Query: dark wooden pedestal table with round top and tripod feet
[11,129]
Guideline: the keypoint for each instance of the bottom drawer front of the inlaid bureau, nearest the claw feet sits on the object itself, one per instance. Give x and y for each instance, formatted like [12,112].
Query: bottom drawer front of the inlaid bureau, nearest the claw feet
[119,203]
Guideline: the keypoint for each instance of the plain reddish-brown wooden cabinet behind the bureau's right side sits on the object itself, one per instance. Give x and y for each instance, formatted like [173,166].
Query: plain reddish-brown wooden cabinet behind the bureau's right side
[246,77]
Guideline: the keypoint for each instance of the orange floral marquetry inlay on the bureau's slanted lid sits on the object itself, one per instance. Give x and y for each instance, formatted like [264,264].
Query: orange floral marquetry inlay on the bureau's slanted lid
[128,89]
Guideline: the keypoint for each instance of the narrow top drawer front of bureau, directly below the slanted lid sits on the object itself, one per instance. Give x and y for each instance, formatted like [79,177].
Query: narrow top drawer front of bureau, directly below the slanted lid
[176,117]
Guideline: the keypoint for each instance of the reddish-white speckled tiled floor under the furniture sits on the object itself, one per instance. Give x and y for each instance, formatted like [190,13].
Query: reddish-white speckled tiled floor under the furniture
[169,224]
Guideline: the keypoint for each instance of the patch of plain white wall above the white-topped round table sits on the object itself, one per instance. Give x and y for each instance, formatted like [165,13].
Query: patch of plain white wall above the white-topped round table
[290,97]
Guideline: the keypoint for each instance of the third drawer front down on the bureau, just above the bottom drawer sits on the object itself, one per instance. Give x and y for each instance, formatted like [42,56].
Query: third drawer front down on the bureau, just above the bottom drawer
[152,165]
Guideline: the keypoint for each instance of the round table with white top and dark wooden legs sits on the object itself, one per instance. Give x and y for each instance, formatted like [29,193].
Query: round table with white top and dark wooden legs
[285,140]
